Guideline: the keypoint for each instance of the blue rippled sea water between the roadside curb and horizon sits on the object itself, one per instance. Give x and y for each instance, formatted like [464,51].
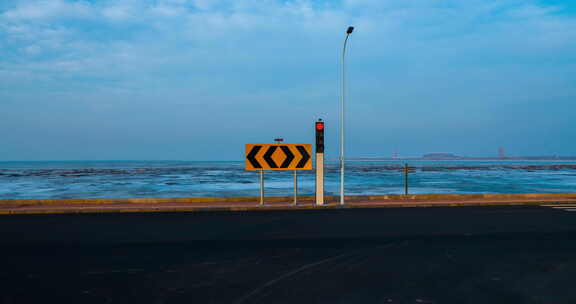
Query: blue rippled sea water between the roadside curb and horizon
[122,179]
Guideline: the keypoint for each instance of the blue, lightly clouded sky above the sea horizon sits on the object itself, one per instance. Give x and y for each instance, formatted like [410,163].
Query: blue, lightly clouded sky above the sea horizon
[199,79]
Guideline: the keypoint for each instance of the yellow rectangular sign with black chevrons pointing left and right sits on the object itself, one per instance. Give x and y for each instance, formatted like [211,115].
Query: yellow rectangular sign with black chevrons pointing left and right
[278,157]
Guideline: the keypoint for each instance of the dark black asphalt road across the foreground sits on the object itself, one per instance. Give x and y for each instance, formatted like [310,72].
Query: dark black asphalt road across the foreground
[393,255]
